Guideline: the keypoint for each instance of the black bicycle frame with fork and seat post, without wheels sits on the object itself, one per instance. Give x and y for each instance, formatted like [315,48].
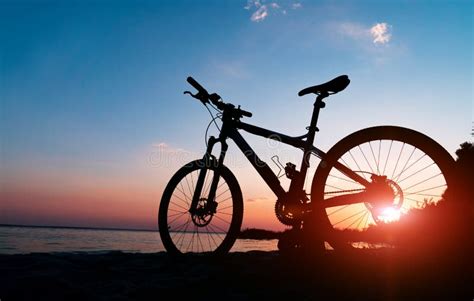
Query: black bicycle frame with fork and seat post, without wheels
[230,127]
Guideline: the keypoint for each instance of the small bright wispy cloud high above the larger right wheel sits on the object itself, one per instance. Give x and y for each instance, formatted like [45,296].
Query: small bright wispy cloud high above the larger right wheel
[378,33]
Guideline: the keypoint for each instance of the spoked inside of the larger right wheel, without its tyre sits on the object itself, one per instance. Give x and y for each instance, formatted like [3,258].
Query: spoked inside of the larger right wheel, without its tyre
[416,174]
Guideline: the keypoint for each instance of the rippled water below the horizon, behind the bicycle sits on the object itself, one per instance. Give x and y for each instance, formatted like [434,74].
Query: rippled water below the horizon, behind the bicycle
[21,240]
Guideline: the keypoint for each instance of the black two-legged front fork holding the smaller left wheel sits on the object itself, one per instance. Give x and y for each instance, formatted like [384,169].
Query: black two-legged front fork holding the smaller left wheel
[208,161]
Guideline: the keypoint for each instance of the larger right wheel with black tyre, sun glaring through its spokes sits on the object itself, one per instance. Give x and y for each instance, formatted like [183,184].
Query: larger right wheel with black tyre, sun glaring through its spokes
[405,170]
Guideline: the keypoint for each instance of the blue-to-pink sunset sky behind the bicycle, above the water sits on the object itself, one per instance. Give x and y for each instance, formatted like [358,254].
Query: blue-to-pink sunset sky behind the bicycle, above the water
[93,120]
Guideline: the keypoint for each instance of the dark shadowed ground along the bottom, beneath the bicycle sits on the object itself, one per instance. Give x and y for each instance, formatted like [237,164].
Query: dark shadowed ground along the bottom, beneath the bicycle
[359,275]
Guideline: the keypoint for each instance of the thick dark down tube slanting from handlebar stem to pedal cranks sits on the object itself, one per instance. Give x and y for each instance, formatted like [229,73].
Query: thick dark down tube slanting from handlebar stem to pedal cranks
[262,168]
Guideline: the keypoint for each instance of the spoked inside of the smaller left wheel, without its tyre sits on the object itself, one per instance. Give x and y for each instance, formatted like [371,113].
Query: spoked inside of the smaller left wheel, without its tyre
[204,232]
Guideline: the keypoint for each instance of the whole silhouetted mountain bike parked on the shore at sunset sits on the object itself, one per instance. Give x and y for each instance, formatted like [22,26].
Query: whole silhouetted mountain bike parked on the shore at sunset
[370,176]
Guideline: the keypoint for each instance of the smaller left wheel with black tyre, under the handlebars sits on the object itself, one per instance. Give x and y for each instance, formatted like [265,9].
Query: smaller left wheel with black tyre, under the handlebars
[206,231]
